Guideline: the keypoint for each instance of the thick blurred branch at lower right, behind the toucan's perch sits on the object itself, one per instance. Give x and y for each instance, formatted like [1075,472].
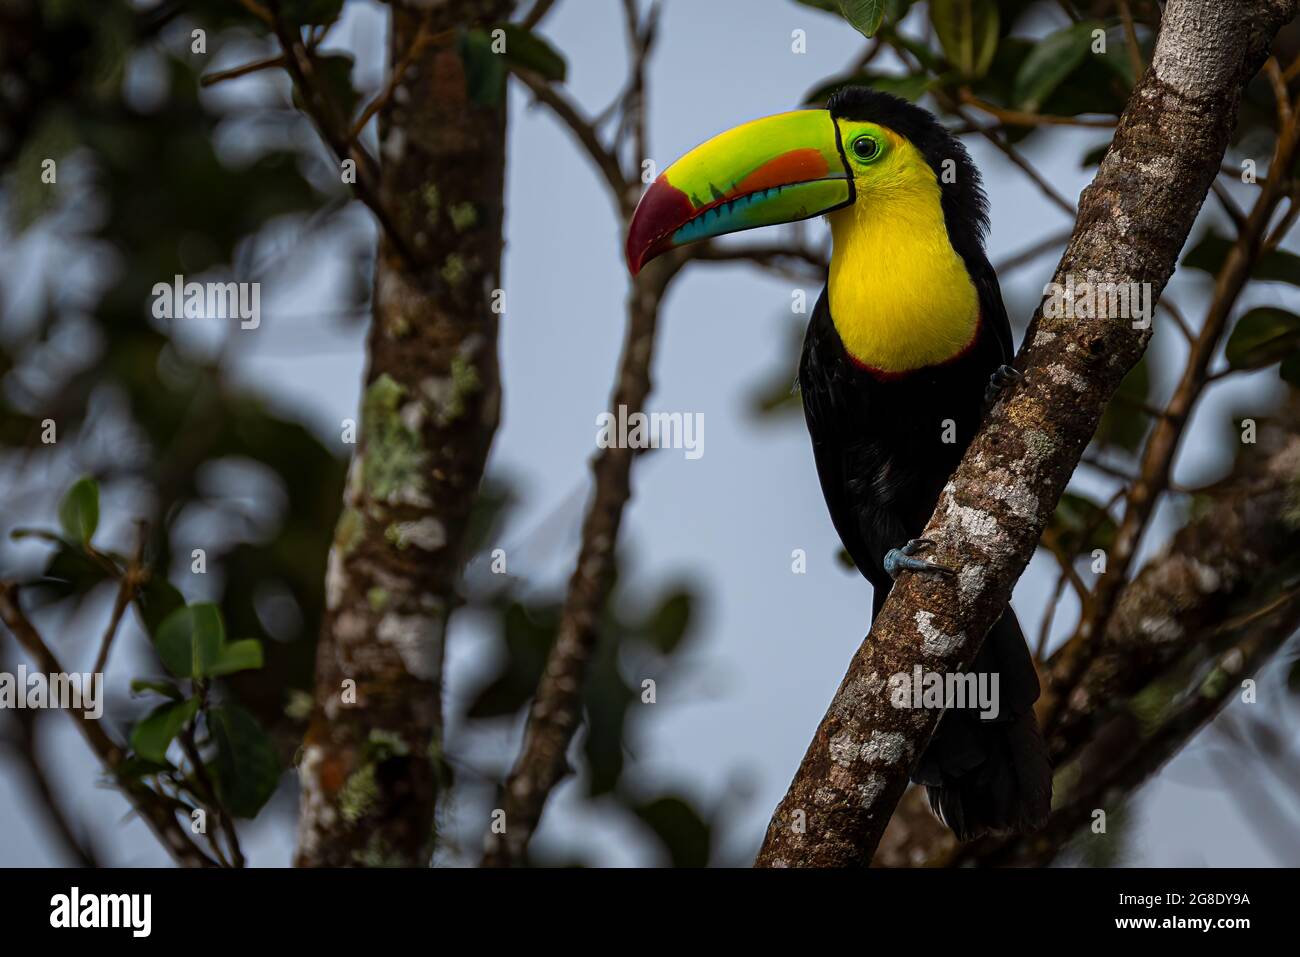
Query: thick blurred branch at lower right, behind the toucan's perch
[1212,570]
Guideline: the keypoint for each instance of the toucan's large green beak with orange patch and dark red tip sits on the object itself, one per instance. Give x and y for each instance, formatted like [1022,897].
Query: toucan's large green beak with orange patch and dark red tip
[779,170]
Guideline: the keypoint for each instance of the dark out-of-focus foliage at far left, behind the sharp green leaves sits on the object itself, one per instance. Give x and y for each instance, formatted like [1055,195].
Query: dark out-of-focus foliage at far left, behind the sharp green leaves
[158,198]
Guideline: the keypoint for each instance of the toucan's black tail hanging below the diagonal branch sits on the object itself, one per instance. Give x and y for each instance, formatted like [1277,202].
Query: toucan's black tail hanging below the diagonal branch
[987,776]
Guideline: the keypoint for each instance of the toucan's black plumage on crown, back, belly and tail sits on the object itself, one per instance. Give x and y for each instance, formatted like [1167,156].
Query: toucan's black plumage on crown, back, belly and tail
[882,465]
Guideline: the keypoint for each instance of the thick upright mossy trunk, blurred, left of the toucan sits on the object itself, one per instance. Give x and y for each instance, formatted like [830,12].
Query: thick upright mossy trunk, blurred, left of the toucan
[371,767]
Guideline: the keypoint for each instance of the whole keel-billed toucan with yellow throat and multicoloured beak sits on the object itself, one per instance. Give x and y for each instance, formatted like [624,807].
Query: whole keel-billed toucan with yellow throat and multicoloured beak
[898,363]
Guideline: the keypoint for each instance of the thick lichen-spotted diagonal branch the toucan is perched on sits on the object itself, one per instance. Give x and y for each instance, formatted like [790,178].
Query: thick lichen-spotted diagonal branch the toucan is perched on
[1133,222]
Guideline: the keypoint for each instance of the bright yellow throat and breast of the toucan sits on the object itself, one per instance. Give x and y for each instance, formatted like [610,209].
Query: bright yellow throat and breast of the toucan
[902,298]
